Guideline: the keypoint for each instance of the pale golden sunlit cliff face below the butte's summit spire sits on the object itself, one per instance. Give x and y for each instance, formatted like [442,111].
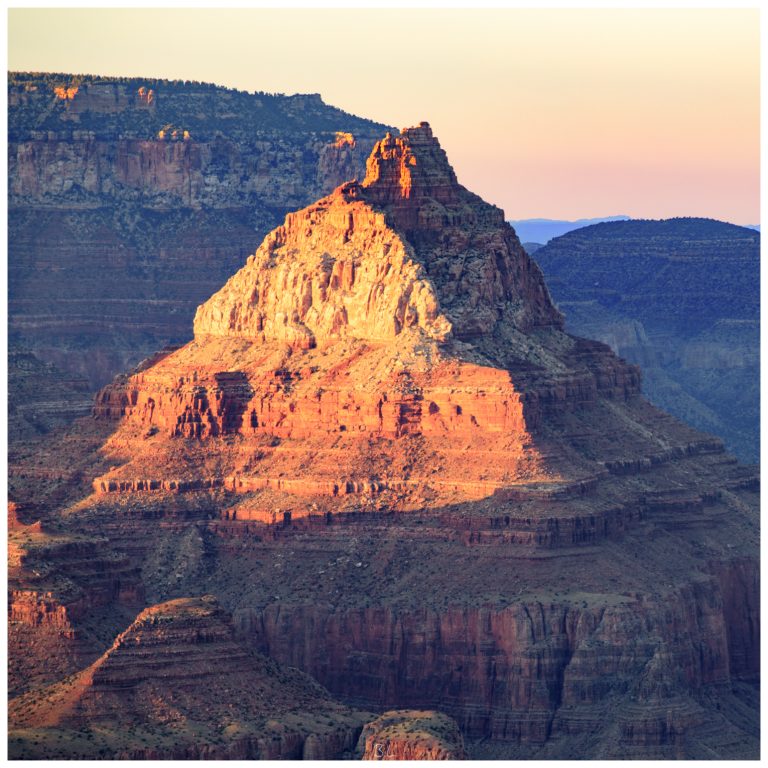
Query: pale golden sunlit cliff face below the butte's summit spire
[369,289]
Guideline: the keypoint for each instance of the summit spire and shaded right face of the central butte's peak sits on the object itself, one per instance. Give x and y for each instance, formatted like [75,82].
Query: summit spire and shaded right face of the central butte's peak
[482,275]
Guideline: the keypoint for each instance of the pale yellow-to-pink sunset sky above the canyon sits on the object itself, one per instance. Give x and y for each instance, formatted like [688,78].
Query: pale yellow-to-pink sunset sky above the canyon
[556,113]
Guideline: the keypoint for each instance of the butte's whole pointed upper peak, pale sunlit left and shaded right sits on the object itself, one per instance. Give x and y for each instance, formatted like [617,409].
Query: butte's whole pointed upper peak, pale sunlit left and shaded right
[356,277]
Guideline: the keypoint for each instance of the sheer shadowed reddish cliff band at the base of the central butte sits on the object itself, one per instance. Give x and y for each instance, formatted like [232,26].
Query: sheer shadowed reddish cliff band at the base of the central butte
[541,668]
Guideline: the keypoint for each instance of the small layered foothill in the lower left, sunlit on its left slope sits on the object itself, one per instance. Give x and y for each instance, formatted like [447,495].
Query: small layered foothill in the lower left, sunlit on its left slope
[188,690]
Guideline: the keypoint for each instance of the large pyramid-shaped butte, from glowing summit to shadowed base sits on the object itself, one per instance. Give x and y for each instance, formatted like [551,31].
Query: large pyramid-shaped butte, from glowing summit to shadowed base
[384,456]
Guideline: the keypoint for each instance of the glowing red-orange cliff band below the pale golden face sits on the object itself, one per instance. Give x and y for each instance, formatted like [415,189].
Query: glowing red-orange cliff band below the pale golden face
[313,400]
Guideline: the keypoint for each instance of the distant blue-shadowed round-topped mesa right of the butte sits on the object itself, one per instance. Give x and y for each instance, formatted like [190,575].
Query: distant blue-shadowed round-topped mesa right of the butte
[680,298]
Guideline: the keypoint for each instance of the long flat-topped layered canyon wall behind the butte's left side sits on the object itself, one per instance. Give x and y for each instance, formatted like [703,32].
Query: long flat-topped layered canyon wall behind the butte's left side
[141,197]
